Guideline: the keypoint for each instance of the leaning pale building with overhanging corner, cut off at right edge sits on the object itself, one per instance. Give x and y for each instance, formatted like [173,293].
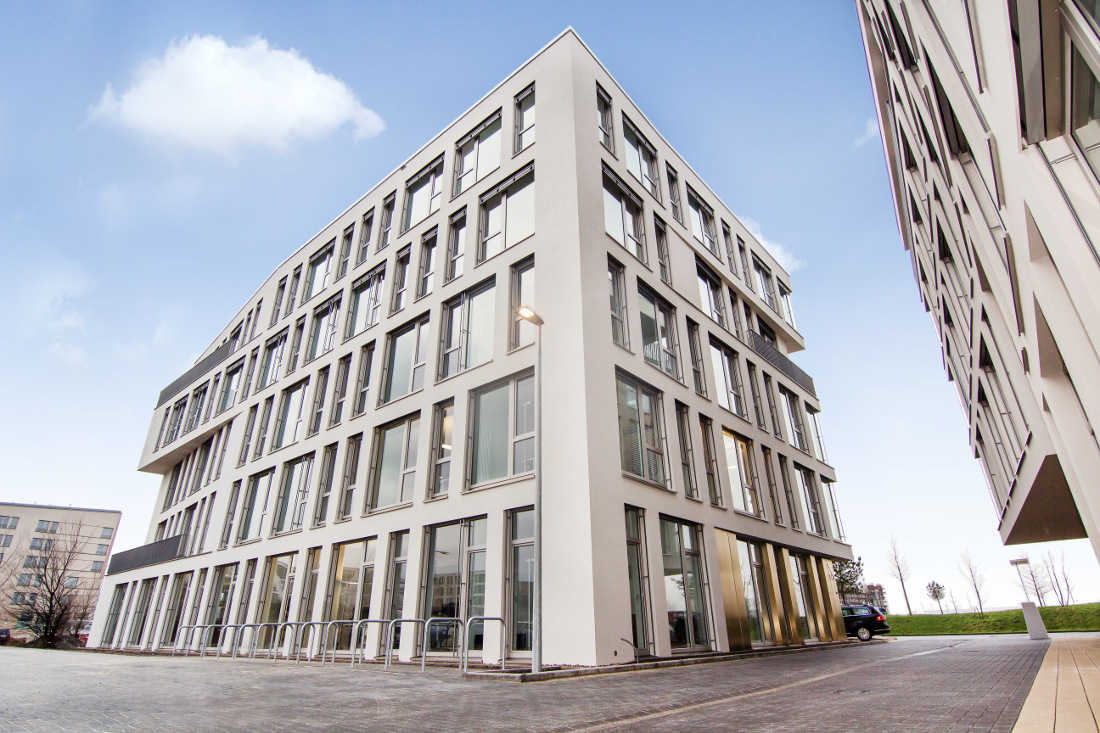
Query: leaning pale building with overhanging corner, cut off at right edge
[991,118]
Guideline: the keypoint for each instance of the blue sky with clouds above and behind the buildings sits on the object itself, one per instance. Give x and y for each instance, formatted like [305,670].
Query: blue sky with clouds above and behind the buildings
[130,235]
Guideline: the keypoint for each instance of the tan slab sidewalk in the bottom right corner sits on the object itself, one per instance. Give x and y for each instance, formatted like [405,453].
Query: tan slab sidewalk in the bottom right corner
[1066,695]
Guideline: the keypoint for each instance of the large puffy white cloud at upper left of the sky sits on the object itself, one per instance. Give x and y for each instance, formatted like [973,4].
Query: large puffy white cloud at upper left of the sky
[207,95]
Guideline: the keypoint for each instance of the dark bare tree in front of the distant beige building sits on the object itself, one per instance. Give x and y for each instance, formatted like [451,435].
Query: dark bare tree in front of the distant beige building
[46,592]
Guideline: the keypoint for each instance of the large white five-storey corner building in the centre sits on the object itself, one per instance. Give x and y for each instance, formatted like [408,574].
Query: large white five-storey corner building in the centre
[359,443]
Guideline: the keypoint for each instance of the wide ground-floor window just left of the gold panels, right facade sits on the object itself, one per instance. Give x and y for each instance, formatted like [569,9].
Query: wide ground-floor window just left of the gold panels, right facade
[681,550]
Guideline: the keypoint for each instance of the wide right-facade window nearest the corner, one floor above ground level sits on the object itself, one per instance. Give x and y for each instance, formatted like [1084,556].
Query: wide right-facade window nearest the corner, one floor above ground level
[642,446]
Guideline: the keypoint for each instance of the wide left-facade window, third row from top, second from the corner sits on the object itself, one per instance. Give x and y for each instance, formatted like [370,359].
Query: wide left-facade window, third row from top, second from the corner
[467,336]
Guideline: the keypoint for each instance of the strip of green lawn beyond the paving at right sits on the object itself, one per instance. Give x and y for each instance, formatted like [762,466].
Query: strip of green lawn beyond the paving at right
[1070,618]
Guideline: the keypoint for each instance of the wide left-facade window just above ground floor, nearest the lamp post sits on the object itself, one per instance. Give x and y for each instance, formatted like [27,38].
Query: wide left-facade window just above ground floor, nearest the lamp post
[502,431]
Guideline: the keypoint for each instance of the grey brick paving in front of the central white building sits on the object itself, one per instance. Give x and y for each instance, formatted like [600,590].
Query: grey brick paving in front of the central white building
[948,684]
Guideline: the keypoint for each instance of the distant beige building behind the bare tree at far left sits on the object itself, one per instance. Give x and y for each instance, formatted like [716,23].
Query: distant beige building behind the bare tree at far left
[50,553]
